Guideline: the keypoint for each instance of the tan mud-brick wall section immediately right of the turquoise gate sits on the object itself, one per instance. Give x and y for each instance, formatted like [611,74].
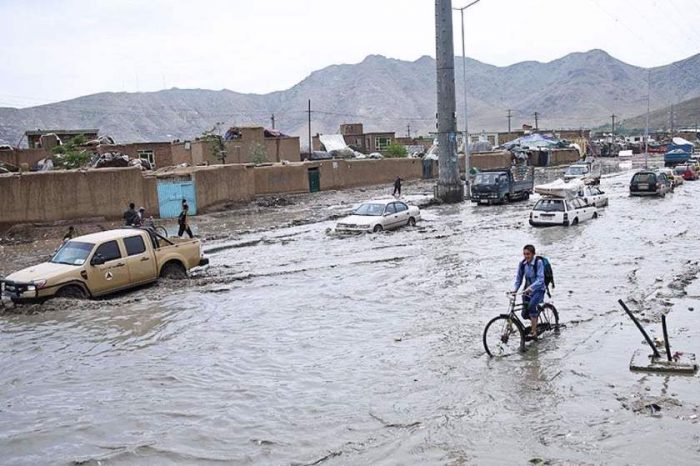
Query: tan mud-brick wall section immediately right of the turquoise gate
[223,183]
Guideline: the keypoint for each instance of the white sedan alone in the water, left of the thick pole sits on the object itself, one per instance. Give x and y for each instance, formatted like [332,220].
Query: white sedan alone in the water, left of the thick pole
[379,215]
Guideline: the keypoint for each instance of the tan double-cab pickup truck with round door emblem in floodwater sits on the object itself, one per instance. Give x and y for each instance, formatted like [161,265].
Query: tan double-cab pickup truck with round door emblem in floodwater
[105,262]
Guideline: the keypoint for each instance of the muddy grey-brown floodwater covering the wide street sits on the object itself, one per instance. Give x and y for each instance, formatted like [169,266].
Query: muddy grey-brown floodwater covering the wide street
[300,347]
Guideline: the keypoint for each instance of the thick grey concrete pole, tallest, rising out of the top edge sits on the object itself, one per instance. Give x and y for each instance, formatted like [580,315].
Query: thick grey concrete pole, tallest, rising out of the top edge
[449,186]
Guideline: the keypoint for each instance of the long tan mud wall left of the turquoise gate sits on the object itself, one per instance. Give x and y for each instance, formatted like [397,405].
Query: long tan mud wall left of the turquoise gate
[62,195]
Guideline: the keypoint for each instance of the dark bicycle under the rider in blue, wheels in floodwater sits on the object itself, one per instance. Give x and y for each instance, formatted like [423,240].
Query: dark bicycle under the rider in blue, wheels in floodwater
[506,334]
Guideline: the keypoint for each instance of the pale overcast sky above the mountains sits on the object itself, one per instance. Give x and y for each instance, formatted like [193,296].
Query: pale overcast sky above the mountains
[56,50]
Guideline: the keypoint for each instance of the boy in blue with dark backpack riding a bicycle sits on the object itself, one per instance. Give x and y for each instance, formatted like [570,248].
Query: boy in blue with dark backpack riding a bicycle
[531,268]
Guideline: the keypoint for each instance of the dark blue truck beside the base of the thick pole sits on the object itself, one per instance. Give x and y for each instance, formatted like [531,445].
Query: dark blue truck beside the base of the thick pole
[503,185]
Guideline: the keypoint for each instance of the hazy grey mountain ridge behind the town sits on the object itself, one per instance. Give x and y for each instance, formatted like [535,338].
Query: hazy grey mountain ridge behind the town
[578,90]
